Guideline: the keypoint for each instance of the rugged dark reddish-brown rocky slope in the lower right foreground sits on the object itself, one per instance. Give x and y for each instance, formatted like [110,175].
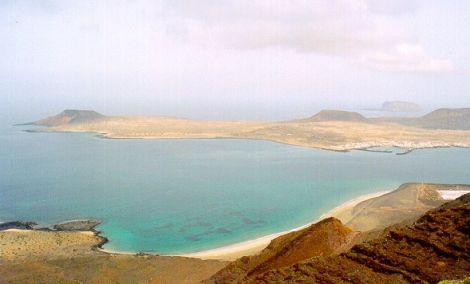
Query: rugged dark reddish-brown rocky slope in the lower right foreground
[435,247]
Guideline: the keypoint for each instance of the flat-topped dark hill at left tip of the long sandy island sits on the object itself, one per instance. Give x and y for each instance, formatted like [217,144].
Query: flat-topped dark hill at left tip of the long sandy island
[71,116]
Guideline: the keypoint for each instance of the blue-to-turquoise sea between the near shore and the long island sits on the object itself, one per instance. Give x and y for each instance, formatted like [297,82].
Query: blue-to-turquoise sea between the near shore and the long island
[179,196]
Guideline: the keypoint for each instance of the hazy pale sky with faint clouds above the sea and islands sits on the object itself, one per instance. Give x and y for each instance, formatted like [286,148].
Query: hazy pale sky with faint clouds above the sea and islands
[234,59]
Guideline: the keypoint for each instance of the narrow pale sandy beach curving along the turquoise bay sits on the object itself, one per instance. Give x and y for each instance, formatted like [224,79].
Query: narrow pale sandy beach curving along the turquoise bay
[250,247]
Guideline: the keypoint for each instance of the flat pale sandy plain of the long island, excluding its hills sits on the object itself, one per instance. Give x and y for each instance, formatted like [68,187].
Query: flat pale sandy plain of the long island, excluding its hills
[329,135]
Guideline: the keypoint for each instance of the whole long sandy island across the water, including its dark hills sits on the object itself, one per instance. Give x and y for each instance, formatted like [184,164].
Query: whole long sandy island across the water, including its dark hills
[335,130]
